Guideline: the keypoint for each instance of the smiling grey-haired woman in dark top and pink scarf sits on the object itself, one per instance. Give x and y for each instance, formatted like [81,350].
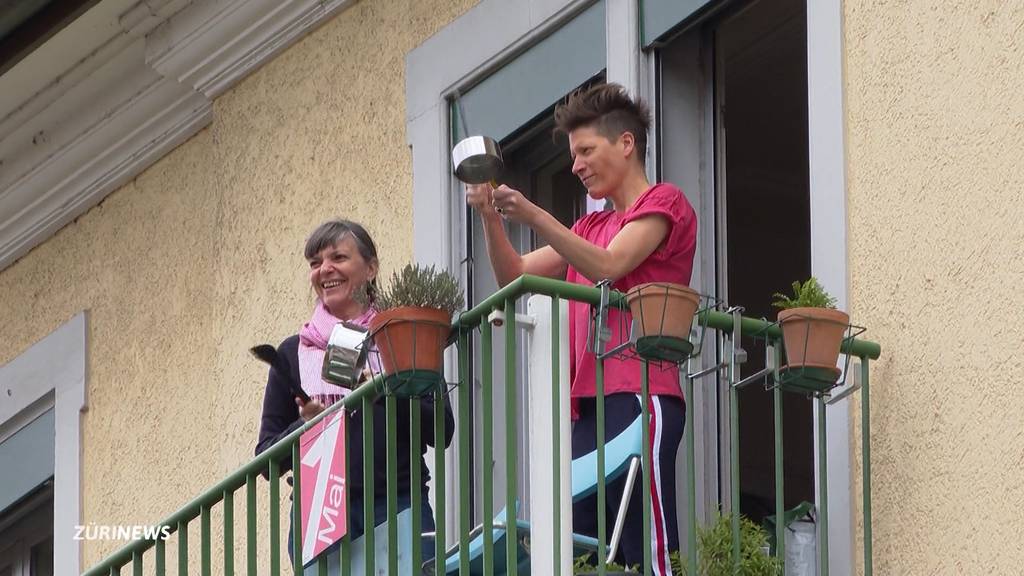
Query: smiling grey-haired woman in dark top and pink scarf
[344,268]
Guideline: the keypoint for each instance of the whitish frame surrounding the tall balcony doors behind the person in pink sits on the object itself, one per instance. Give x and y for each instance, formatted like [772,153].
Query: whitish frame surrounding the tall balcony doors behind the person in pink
[499,29]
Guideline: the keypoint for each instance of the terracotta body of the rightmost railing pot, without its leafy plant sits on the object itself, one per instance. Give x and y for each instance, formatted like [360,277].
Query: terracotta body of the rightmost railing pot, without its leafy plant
[813,337]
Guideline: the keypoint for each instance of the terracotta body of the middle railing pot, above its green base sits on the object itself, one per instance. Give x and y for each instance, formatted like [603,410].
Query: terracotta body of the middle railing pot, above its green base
[663,309]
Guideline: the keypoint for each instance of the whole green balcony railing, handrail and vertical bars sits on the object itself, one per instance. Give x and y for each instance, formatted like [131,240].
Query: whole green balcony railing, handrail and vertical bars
[268,462]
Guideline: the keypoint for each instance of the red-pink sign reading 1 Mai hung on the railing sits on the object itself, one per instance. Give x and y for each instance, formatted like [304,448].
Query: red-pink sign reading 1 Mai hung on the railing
[322,451]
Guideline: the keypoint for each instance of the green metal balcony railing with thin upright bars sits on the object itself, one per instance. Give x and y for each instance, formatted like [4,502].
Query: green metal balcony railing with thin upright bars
[265,558]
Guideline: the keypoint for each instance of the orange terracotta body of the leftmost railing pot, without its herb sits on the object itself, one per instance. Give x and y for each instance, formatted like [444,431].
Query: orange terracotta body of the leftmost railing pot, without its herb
[411,339]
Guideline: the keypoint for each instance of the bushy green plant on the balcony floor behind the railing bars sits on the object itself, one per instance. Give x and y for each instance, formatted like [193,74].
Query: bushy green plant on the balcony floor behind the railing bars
[715,552]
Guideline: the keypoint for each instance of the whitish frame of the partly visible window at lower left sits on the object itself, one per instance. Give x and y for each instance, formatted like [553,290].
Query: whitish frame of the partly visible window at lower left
[53,373]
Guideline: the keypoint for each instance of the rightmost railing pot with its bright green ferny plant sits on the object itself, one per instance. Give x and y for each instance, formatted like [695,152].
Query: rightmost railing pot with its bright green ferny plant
[813,328]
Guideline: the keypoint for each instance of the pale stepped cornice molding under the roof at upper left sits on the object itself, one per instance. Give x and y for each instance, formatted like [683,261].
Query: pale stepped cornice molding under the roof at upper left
[146,91]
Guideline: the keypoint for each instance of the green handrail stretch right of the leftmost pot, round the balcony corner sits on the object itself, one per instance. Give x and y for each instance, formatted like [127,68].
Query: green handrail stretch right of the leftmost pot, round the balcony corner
[714,319]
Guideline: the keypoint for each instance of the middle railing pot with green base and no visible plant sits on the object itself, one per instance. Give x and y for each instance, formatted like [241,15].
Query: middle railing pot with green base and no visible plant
[663,313]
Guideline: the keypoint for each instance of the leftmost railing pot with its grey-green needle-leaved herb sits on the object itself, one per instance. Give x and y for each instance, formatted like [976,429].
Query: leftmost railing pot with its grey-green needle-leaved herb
[414,319]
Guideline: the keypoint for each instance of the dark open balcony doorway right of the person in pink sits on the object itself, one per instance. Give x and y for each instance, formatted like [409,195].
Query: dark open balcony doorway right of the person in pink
[734,127]
